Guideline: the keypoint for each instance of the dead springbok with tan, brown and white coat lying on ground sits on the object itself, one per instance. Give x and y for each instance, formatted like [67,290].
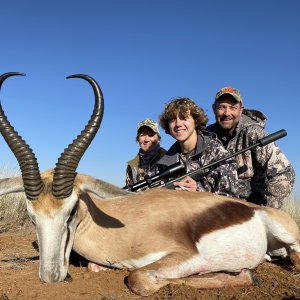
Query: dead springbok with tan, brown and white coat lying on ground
[163,236]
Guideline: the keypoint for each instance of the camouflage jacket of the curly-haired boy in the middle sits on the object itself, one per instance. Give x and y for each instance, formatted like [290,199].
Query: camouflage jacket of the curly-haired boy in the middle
[221,179]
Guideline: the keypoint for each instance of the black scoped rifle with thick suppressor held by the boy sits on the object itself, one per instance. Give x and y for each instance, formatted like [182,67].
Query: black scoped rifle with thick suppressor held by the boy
[157,180]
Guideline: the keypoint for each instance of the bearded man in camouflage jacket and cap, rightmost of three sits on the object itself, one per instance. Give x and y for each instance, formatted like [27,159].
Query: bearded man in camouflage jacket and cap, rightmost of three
[266,177]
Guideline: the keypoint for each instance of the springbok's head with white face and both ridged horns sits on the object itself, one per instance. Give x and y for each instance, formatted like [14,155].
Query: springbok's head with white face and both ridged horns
[52,197]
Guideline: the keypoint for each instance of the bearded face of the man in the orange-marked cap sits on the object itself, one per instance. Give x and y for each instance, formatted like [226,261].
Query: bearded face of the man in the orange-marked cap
[227,112]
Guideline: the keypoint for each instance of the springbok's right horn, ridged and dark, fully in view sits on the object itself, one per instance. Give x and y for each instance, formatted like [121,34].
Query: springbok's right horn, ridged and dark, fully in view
[64,172]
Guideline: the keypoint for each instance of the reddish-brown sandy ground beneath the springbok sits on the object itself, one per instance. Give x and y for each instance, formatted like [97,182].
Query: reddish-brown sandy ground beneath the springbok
[19,278]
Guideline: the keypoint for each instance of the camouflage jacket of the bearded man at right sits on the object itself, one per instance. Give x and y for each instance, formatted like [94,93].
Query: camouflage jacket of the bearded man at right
[266,177]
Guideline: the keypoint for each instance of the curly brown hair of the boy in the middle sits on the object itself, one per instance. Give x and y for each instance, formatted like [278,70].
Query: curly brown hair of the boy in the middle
[183,107]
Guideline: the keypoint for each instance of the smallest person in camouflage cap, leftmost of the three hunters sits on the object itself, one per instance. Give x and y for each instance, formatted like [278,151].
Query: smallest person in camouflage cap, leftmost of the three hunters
[144,163]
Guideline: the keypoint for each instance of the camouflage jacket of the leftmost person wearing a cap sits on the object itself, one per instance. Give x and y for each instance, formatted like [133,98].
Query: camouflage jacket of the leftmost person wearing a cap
[137,168]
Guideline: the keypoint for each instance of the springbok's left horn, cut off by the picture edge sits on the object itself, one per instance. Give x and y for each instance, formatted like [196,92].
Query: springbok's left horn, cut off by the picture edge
[33,184]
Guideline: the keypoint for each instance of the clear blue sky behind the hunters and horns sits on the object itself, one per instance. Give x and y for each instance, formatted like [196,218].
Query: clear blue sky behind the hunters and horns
[142,53]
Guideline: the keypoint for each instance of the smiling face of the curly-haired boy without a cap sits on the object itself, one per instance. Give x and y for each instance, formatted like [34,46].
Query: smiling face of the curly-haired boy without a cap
[182,128]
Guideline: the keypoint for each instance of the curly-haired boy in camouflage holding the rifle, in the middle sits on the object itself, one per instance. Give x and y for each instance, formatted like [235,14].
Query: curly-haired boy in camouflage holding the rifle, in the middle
[185,122]
